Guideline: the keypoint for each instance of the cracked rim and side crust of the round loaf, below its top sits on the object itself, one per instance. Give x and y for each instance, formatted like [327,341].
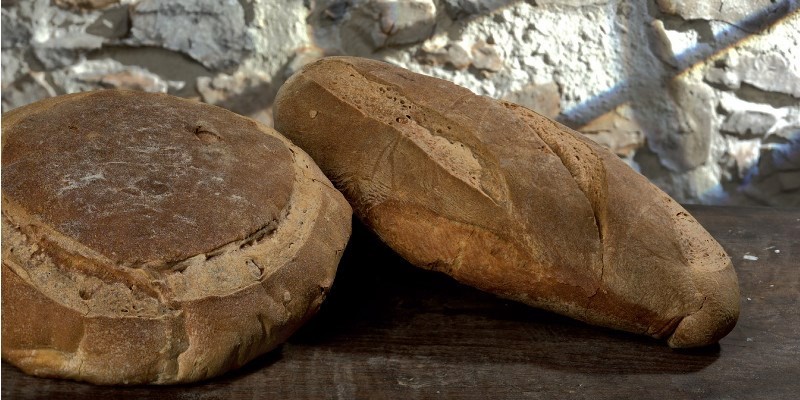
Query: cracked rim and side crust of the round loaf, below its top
[69,311]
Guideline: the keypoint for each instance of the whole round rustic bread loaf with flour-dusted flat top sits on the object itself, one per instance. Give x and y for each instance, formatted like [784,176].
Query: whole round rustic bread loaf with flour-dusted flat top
[151,239]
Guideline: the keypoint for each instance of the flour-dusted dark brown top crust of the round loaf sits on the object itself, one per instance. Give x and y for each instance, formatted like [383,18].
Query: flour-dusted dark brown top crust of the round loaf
[142,178]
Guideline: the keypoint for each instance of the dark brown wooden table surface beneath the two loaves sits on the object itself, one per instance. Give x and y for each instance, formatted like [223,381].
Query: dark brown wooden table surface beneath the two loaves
[389,330]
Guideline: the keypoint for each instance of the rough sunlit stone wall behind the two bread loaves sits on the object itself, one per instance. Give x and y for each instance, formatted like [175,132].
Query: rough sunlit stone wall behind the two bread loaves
[701,97]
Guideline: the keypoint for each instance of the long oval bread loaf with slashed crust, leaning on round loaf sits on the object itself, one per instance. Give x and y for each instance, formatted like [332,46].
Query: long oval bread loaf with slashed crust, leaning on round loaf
[508,201]
